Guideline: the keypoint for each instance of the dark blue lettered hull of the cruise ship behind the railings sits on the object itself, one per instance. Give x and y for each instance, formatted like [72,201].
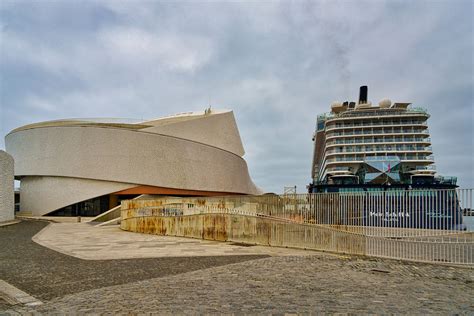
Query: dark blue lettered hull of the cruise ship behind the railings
[395,206]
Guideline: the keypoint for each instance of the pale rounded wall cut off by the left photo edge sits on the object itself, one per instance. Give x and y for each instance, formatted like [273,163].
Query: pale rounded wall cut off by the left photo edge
[7,194]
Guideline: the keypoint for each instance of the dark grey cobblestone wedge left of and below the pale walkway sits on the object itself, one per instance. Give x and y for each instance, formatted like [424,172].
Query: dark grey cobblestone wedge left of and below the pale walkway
[45,274]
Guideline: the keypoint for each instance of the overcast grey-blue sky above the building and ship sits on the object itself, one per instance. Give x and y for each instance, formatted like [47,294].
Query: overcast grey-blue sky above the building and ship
[277,65]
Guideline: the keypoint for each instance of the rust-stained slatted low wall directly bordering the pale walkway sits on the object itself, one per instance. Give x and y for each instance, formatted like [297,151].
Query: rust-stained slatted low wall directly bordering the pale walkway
[248,229]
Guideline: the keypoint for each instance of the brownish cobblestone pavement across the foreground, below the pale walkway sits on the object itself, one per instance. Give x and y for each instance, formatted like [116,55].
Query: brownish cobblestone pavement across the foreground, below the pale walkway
[292,284]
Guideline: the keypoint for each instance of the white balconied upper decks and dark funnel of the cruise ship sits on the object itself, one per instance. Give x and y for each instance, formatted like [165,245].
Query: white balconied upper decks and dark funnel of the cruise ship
[365,145]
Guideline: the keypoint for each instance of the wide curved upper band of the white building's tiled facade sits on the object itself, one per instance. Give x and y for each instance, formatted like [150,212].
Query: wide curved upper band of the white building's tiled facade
[128,157]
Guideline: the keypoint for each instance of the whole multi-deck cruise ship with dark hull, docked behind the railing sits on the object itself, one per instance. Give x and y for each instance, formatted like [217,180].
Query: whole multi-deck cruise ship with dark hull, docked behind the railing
[382,155]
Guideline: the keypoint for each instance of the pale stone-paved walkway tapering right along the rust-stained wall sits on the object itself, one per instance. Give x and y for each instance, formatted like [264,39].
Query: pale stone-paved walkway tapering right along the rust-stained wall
[88,242]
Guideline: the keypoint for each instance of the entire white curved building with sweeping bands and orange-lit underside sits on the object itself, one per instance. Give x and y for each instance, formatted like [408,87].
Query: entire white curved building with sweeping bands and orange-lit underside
[85,167]
